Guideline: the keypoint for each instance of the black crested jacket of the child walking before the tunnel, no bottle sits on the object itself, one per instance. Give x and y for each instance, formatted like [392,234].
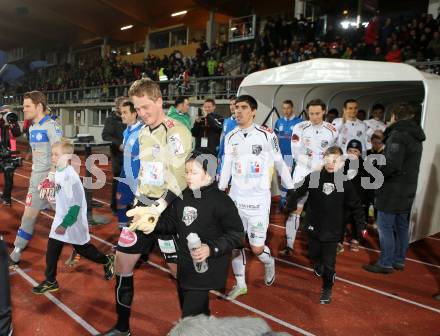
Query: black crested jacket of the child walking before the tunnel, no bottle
[326,206]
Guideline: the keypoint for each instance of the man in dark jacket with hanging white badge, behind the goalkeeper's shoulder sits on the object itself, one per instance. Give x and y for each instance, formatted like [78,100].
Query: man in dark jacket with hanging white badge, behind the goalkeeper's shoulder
[208,128]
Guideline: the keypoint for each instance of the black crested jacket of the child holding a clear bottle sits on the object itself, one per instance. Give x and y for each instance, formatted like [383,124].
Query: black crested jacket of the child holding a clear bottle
[214,217]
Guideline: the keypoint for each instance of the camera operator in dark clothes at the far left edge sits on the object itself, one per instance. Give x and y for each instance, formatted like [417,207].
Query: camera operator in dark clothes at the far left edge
[9,131]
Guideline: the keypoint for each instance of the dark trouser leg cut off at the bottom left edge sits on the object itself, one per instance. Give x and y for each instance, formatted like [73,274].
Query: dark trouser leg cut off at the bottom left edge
[5,294]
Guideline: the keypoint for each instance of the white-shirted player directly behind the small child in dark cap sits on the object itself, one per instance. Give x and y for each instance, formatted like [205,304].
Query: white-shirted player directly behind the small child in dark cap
[349,127]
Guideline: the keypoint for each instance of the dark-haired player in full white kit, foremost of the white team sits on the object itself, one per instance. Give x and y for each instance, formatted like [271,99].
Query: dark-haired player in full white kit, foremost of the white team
[251,154]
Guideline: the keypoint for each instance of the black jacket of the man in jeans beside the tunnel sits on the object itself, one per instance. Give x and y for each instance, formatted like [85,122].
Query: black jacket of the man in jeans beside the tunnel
[403,152]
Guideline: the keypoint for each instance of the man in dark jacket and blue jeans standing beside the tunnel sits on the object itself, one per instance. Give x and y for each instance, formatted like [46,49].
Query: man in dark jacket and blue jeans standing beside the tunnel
[403,152]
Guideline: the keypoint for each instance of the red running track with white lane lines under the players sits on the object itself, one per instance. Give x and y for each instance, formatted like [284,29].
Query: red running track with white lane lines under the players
[363,303]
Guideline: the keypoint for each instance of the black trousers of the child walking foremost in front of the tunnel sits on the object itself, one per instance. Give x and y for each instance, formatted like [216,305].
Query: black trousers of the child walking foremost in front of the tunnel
[324,254]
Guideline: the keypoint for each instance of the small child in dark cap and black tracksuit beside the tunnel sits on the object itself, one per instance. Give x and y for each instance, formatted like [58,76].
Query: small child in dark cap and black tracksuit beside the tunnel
[354,170]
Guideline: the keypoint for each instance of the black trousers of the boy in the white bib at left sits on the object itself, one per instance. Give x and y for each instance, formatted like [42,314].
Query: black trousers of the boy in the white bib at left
[54,248]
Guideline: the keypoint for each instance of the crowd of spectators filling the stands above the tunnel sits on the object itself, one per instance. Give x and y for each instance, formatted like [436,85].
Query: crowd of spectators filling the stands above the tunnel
[283,40]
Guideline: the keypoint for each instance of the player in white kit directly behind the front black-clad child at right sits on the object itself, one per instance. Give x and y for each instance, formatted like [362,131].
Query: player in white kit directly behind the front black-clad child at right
[310,140]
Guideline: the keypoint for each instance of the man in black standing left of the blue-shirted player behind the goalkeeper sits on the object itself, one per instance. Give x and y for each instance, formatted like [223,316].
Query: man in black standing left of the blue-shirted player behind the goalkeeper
[112,131]
